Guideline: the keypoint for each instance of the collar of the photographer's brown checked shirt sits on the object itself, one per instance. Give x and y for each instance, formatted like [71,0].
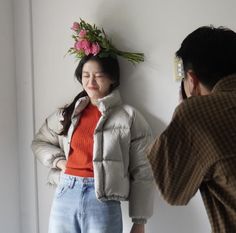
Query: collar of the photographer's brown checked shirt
[226,84]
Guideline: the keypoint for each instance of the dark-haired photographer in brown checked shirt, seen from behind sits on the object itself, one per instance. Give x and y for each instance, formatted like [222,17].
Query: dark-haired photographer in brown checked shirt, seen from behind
[197,151]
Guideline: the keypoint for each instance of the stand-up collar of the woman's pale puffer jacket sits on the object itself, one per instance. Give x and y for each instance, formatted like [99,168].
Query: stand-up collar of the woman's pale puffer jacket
[103,104]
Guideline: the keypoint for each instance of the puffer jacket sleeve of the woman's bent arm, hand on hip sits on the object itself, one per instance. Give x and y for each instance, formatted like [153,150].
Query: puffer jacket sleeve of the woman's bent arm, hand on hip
[46,145]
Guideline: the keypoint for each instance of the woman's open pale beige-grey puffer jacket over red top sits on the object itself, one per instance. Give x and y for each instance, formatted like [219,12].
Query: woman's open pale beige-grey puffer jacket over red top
[121,138]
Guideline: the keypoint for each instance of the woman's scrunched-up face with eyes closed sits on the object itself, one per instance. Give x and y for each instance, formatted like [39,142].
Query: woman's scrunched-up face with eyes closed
[94,81]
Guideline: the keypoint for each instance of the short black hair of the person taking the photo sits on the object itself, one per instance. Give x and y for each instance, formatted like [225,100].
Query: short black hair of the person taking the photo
[210,52]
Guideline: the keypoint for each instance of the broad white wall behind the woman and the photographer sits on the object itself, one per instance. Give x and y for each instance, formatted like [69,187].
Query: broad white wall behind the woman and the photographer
[154,27]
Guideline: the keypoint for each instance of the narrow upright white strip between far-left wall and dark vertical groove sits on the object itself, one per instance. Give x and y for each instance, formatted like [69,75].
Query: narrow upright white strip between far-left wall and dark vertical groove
[25,116]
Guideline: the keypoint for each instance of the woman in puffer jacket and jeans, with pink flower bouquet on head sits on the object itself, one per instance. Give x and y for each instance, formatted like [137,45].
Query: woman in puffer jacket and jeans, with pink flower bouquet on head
[96,146]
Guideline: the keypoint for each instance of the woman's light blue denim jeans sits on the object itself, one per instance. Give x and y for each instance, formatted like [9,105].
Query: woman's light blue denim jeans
[75,209]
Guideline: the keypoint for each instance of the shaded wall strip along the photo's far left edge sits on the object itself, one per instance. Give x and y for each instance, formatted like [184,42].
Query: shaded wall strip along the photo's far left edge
[9,183]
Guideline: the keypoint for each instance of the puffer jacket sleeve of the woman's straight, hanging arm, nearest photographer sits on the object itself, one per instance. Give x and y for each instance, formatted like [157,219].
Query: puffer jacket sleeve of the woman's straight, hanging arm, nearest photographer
[141,197]
